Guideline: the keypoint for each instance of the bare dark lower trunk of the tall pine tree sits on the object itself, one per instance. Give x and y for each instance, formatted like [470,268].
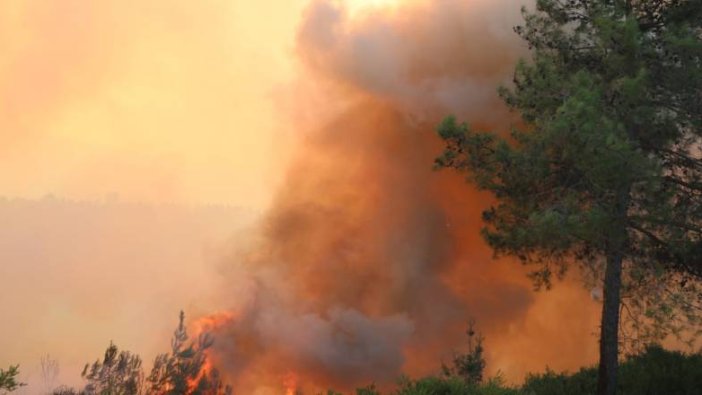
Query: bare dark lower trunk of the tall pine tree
[609,330]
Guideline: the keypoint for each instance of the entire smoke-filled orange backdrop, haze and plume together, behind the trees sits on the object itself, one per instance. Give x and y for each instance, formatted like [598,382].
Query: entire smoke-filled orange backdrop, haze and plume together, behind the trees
[352,262]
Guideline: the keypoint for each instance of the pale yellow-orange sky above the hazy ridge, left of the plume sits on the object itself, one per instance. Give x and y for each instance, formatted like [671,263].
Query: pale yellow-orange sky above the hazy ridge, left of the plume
[165,100]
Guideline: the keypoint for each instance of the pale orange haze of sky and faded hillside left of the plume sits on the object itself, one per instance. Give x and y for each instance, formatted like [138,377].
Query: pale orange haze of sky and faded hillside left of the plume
[159,101]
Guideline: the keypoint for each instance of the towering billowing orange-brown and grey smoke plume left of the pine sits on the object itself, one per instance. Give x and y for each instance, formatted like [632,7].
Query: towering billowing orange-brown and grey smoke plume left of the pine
[369,263]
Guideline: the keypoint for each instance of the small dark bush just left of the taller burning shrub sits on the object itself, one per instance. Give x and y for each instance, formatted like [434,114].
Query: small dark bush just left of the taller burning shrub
[119,373]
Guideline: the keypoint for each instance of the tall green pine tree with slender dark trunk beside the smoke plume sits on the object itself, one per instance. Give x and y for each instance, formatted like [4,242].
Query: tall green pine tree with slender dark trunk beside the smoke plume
[606,170]
